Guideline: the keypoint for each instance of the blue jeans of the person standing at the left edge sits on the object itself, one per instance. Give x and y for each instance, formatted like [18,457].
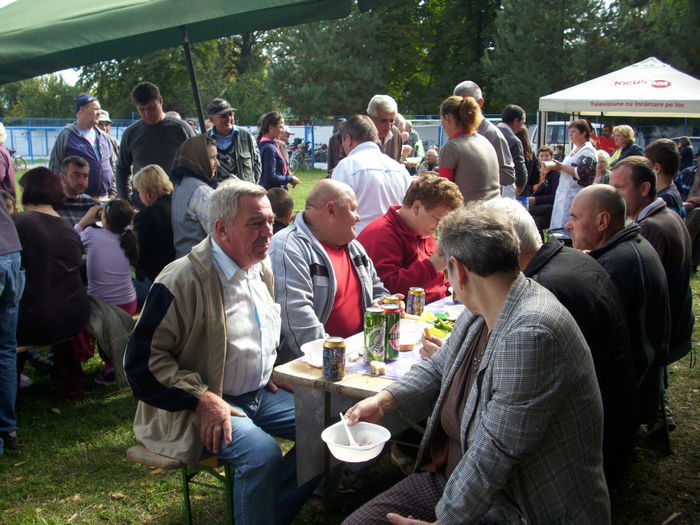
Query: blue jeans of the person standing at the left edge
[11,288]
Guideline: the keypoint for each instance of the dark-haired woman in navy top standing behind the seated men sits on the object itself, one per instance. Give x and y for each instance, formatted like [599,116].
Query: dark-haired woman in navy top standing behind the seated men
[275,173]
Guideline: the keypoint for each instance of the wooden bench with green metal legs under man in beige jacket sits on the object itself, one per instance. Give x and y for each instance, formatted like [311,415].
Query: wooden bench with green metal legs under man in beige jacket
[208,464]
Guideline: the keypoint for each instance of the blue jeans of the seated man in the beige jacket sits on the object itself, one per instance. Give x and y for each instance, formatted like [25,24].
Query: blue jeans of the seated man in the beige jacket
[265,487]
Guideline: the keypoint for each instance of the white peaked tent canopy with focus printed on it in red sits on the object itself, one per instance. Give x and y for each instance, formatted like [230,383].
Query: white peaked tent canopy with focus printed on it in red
[649,88]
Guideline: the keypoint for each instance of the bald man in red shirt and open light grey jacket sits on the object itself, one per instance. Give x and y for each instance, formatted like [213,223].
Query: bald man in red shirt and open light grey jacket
[324,279]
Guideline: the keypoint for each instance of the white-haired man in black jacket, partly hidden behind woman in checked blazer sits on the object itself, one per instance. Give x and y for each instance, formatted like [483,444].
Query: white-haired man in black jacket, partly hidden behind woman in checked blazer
[589,294]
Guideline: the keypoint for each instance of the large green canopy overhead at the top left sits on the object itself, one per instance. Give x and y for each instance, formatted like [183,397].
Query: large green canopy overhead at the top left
[42,36]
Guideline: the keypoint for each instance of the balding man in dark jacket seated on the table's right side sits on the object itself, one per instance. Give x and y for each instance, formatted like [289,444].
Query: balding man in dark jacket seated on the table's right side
[597,223]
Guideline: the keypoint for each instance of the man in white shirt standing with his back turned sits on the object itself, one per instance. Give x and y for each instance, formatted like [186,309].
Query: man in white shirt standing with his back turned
[378,181]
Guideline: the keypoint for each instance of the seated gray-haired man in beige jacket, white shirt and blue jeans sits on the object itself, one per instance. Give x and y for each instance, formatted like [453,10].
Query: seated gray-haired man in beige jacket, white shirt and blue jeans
[200,360]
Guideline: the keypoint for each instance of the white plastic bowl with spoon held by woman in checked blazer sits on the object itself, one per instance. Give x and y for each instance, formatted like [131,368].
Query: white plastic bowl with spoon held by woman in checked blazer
[337,441]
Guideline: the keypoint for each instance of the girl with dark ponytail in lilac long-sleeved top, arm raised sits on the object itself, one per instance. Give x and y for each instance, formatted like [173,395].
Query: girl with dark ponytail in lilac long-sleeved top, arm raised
[111,252]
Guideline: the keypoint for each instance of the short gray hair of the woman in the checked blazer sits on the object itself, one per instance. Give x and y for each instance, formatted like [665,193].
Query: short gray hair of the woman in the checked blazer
[480,238]
